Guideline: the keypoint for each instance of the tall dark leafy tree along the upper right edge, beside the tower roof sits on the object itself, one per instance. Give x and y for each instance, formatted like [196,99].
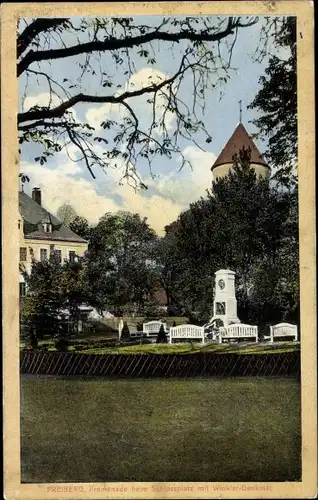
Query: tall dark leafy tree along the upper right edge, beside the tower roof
[276,101]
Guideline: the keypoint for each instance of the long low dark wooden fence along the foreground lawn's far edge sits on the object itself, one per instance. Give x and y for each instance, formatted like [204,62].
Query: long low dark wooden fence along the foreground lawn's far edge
[165,365]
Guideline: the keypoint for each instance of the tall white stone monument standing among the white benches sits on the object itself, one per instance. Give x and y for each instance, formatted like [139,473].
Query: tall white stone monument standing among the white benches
[225,304]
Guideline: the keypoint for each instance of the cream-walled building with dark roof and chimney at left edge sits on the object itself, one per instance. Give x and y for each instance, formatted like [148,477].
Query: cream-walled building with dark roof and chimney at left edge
[41,233]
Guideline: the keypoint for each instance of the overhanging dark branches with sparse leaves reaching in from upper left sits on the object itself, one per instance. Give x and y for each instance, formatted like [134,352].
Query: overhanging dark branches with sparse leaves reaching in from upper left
[107,51]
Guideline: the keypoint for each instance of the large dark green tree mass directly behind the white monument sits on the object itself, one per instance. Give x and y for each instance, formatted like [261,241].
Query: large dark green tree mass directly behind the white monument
[245,224]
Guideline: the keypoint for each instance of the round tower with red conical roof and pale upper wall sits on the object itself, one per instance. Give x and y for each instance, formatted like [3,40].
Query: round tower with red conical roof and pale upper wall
[240,138]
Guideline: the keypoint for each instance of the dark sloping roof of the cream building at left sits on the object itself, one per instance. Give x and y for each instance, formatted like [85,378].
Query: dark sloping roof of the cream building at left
[35,215]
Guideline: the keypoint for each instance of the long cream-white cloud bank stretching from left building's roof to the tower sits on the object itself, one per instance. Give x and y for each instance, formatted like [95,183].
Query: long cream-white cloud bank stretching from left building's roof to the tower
[166,198]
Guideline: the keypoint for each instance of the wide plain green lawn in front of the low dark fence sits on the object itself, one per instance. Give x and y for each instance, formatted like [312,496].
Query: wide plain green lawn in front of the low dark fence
[88,430]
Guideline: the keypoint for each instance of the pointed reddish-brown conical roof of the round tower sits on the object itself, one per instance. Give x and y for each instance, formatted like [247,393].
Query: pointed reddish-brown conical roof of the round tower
[240,138]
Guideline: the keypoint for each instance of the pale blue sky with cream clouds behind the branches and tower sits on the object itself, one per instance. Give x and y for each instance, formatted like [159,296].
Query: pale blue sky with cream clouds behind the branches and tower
[170,190]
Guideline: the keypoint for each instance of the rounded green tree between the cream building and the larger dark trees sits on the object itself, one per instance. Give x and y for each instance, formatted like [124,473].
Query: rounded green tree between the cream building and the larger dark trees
[121,268]
